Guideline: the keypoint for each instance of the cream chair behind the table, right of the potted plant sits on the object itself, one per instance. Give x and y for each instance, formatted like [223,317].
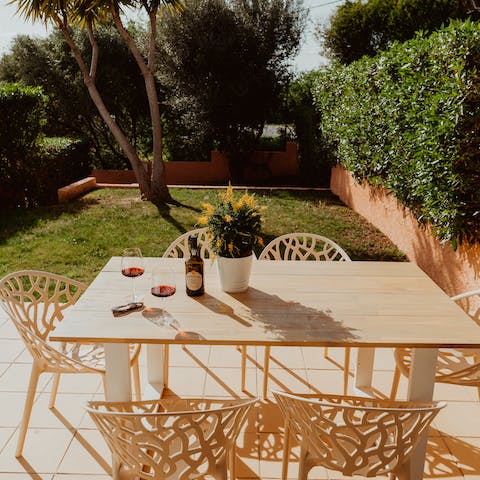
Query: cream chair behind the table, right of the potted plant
[301,246]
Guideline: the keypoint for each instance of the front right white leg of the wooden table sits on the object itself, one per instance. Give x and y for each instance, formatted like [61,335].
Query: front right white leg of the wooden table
[420,388]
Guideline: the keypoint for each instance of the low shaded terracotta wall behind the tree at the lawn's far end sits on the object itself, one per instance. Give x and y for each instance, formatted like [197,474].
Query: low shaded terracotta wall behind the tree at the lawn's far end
[263,165]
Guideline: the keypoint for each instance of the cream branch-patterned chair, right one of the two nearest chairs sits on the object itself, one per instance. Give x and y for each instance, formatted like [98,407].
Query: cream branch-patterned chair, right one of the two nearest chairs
[353,435]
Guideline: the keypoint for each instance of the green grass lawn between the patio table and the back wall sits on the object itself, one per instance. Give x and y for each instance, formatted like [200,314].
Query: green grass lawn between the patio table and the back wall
[77,239]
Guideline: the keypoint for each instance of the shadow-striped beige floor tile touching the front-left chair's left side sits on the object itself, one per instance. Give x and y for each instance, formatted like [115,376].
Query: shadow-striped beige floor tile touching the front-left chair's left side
[87,454]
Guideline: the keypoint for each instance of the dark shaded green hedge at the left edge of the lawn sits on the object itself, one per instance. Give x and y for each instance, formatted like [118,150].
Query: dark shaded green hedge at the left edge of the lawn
[32,167]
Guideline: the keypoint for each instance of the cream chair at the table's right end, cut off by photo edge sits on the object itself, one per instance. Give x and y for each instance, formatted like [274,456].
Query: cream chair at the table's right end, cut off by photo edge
[454,366]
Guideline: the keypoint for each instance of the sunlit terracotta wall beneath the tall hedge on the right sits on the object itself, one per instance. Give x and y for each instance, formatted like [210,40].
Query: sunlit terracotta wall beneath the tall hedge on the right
[454,271]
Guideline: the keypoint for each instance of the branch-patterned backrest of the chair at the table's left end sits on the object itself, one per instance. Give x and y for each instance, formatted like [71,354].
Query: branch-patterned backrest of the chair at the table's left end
[36,299]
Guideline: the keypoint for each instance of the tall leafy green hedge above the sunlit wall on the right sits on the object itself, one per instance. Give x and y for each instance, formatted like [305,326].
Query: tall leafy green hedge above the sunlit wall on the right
[409,120]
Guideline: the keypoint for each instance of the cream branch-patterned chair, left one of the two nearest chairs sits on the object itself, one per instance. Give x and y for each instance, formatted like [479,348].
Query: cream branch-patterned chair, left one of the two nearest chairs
[172,438]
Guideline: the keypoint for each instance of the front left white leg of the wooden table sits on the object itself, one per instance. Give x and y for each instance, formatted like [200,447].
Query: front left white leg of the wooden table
[117,381]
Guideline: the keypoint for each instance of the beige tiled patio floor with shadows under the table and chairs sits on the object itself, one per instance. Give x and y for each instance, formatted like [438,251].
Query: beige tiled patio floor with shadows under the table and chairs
[63,444]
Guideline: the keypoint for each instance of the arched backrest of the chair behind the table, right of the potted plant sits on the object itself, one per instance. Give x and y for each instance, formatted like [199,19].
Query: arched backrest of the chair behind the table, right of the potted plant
[303,246]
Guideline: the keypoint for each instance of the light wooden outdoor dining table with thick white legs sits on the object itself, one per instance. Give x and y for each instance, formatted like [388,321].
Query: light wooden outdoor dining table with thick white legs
[288,303]
